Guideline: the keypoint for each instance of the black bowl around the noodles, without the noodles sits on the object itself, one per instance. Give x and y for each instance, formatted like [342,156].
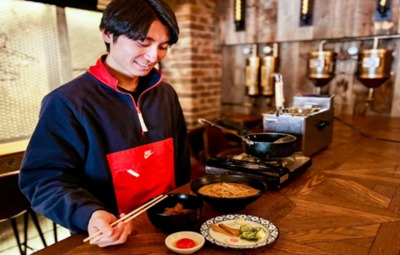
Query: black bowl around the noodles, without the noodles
[229,204]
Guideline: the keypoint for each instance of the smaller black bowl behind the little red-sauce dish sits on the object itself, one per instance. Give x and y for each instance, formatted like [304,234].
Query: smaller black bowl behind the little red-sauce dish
[178,222]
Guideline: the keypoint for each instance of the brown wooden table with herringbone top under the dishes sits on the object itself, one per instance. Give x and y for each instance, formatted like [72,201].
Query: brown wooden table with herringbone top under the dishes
[347,202]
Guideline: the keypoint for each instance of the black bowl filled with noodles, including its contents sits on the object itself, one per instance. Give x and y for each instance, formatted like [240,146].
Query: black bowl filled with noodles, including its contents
[228,192]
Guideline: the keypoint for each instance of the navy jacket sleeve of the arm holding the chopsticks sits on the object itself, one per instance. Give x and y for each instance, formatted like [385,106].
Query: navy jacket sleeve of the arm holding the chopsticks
[52,175]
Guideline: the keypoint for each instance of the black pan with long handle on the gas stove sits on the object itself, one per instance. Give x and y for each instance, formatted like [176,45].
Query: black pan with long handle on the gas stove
[263,145]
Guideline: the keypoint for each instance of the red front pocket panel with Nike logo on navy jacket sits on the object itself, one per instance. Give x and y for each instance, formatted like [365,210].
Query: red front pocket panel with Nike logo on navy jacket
[141,173]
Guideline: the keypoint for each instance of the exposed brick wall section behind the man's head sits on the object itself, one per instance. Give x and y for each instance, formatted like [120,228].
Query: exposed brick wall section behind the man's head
[194,65]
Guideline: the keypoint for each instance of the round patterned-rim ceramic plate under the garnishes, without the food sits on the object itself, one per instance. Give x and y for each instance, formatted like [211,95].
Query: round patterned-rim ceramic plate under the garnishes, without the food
[235,242]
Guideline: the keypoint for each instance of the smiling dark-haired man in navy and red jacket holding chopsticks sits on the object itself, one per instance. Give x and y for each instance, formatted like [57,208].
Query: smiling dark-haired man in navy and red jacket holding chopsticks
[111,139]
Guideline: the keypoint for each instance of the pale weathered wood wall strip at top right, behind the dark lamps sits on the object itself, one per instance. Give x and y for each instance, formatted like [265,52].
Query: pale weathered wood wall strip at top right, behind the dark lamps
[273,20]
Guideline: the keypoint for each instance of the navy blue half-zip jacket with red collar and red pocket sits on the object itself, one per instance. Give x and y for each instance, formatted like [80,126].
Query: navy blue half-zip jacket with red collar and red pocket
[89,150]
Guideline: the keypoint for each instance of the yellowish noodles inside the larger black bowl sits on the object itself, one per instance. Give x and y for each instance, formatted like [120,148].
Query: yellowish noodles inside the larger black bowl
[228,190]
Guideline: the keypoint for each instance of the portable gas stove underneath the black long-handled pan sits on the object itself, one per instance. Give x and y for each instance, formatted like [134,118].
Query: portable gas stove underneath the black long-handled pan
[275,172]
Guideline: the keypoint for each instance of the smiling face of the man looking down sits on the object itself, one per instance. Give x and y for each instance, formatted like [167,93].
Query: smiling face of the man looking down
[136,58]
